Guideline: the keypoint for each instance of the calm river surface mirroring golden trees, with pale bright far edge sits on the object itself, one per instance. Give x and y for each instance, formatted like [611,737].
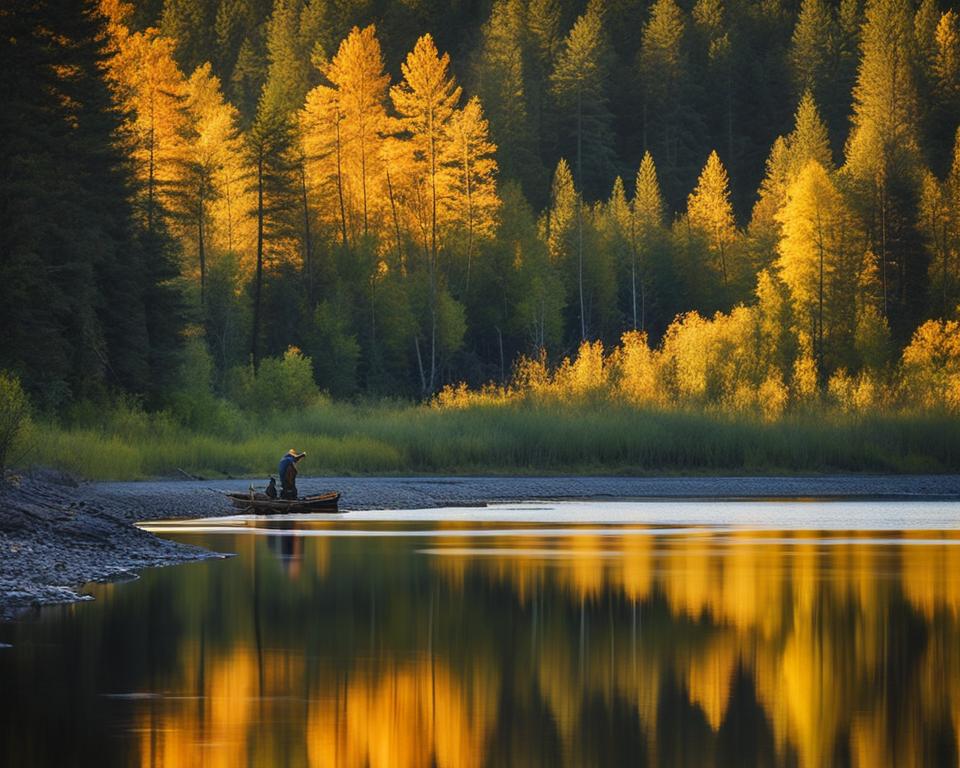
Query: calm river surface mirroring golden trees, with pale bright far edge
[701,634]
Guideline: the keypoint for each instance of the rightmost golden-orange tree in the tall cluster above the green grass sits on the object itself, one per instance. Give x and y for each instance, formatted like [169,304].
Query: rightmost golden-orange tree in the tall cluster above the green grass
[470,167]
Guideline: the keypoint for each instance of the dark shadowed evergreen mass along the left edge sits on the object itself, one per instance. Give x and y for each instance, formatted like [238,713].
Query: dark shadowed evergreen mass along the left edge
[86,298]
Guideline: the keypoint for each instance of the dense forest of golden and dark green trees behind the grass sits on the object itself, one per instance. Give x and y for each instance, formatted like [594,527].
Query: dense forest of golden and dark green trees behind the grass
[748,207]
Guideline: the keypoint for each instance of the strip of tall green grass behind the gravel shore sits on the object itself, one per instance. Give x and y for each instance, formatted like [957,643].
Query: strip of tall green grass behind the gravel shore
[512,437]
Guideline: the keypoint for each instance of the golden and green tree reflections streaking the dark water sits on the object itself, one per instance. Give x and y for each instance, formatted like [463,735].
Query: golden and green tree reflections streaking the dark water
[847,645]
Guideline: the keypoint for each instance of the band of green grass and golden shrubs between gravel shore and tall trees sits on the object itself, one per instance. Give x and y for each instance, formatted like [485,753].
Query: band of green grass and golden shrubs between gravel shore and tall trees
[680,408]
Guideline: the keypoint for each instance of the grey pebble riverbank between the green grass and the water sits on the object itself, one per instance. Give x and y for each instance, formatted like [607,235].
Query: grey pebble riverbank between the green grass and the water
[57,534]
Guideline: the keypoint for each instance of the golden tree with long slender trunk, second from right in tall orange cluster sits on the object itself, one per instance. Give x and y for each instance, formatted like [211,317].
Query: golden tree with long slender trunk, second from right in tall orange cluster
[425,101]
